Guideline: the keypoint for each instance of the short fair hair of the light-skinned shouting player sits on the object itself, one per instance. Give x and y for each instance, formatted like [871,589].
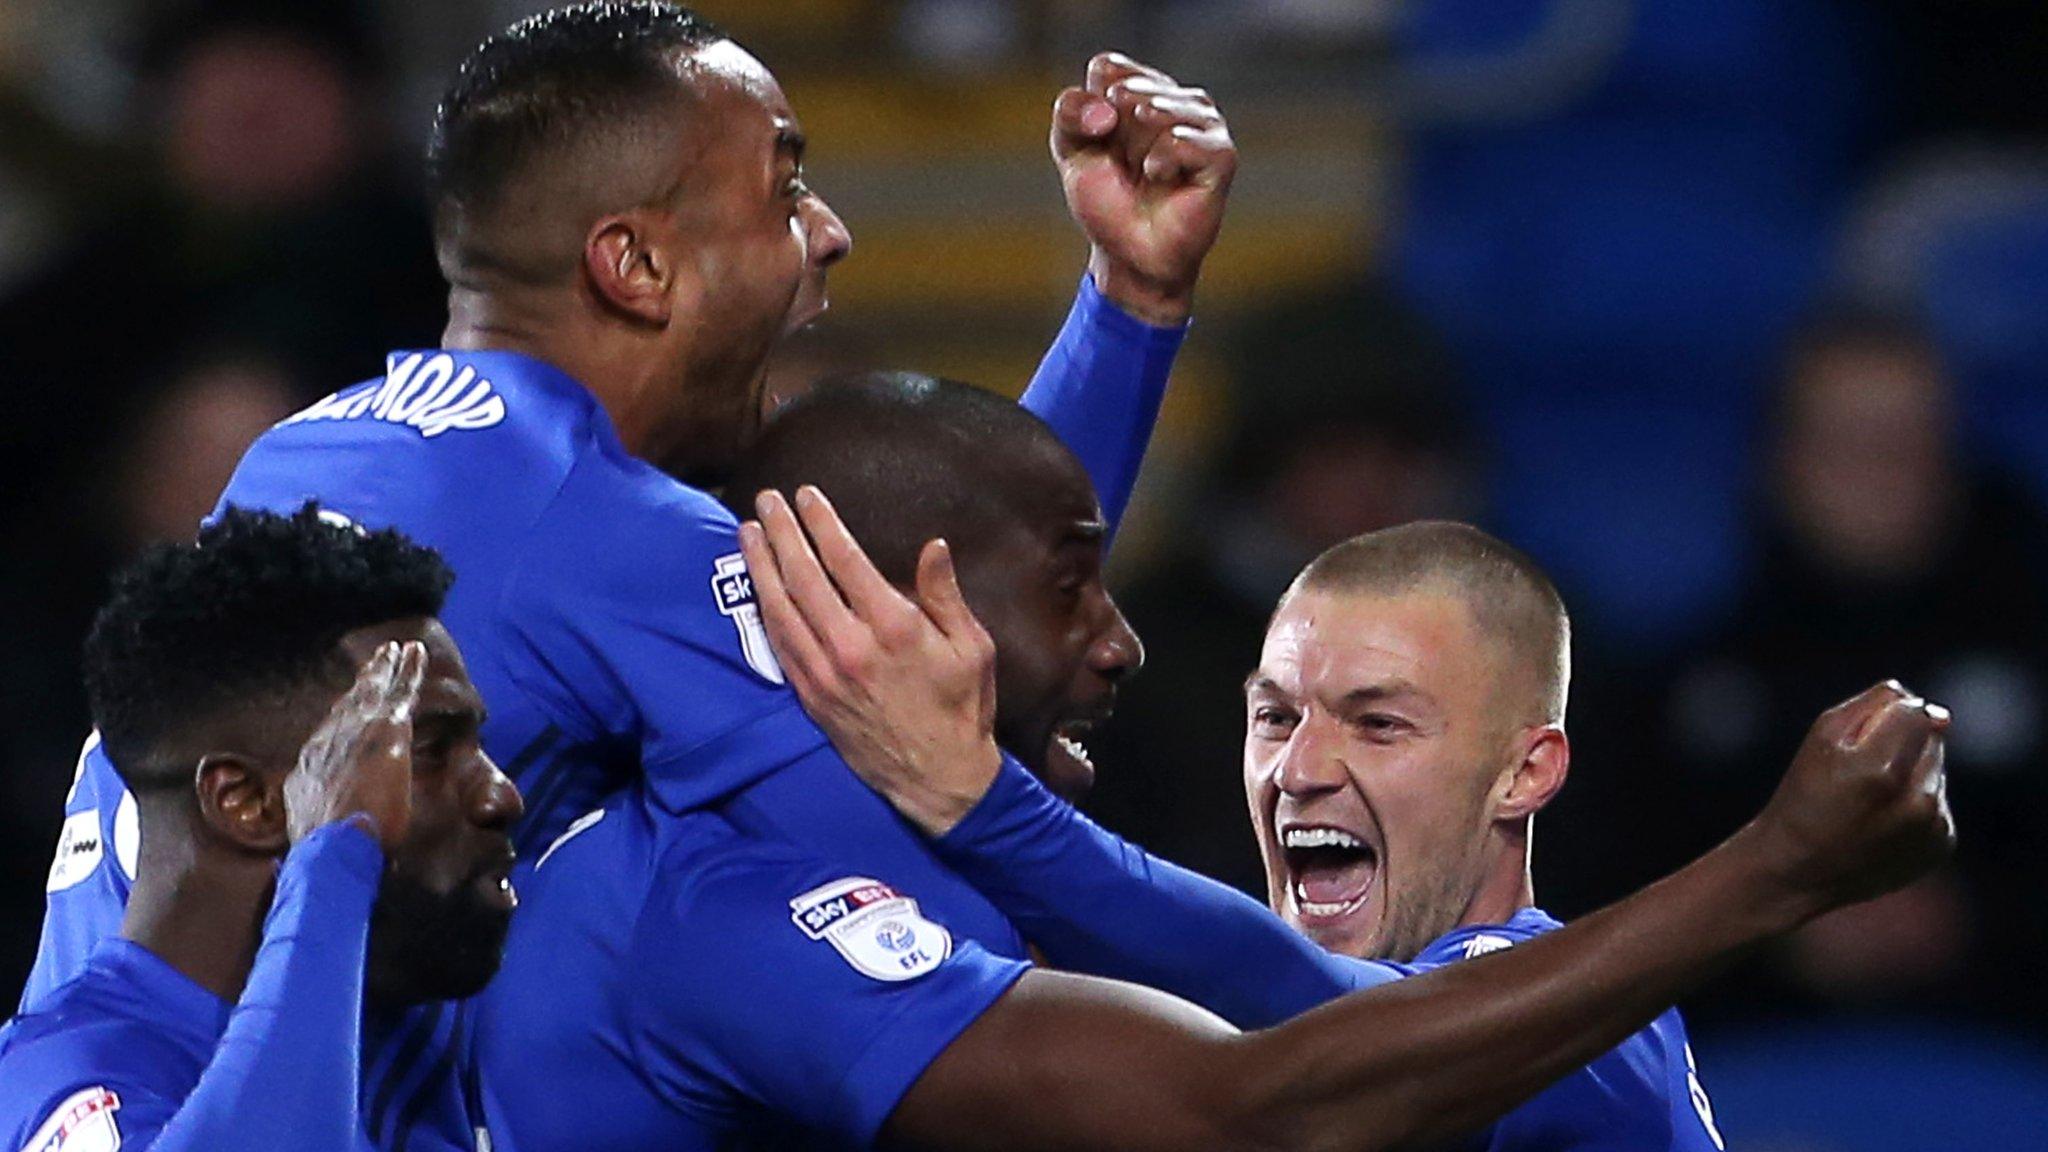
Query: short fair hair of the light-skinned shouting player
[1510,598]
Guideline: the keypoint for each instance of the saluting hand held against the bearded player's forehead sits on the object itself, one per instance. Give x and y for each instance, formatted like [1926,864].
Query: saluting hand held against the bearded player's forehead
[357,766]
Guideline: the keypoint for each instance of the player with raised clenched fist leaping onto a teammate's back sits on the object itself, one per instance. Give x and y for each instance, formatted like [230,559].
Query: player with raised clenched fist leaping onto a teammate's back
[624,220]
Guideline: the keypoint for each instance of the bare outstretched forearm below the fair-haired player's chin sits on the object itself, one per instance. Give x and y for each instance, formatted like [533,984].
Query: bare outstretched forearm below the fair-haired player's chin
[1457,1048]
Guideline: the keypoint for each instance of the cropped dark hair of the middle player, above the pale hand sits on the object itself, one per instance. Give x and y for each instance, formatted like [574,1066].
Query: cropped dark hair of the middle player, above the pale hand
[906,458]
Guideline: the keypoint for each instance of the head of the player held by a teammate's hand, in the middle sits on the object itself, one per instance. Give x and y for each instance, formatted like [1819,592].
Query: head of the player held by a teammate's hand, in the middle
[925,458]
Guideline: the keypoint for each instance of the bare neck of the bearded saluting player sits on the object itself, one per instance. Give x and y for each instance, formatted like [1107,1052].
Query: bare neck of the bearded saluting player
[200,913]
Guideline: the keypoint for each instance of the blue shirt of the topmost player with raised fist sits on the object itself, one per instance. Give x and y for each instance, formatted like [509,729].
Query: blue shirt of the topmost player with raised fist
[609,624]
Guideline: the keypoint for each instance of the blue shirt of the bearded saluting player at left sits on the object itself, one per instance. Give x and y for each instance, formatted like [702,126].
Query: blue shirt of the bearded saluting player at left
[134,1055]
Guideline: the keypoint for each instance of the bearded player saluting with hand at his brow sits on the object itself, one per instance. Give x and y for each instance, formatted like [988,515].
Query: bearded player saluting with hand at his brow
[314,858]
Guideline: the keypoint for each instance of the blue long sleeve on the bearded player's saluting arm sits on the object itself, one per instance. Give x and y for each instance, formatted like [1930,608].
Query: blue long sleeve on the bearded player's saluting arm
[286,1073]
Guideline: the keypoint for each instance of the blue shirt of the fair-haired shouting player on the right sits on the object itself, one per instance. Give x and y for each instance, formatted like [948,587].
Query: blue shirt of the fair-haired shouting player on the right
[1101,905]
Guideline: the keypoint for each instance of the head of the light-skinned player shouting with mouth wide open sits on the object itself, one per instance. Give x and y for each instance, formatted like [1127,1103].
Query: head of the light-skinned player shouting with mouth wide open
[1443,659]
